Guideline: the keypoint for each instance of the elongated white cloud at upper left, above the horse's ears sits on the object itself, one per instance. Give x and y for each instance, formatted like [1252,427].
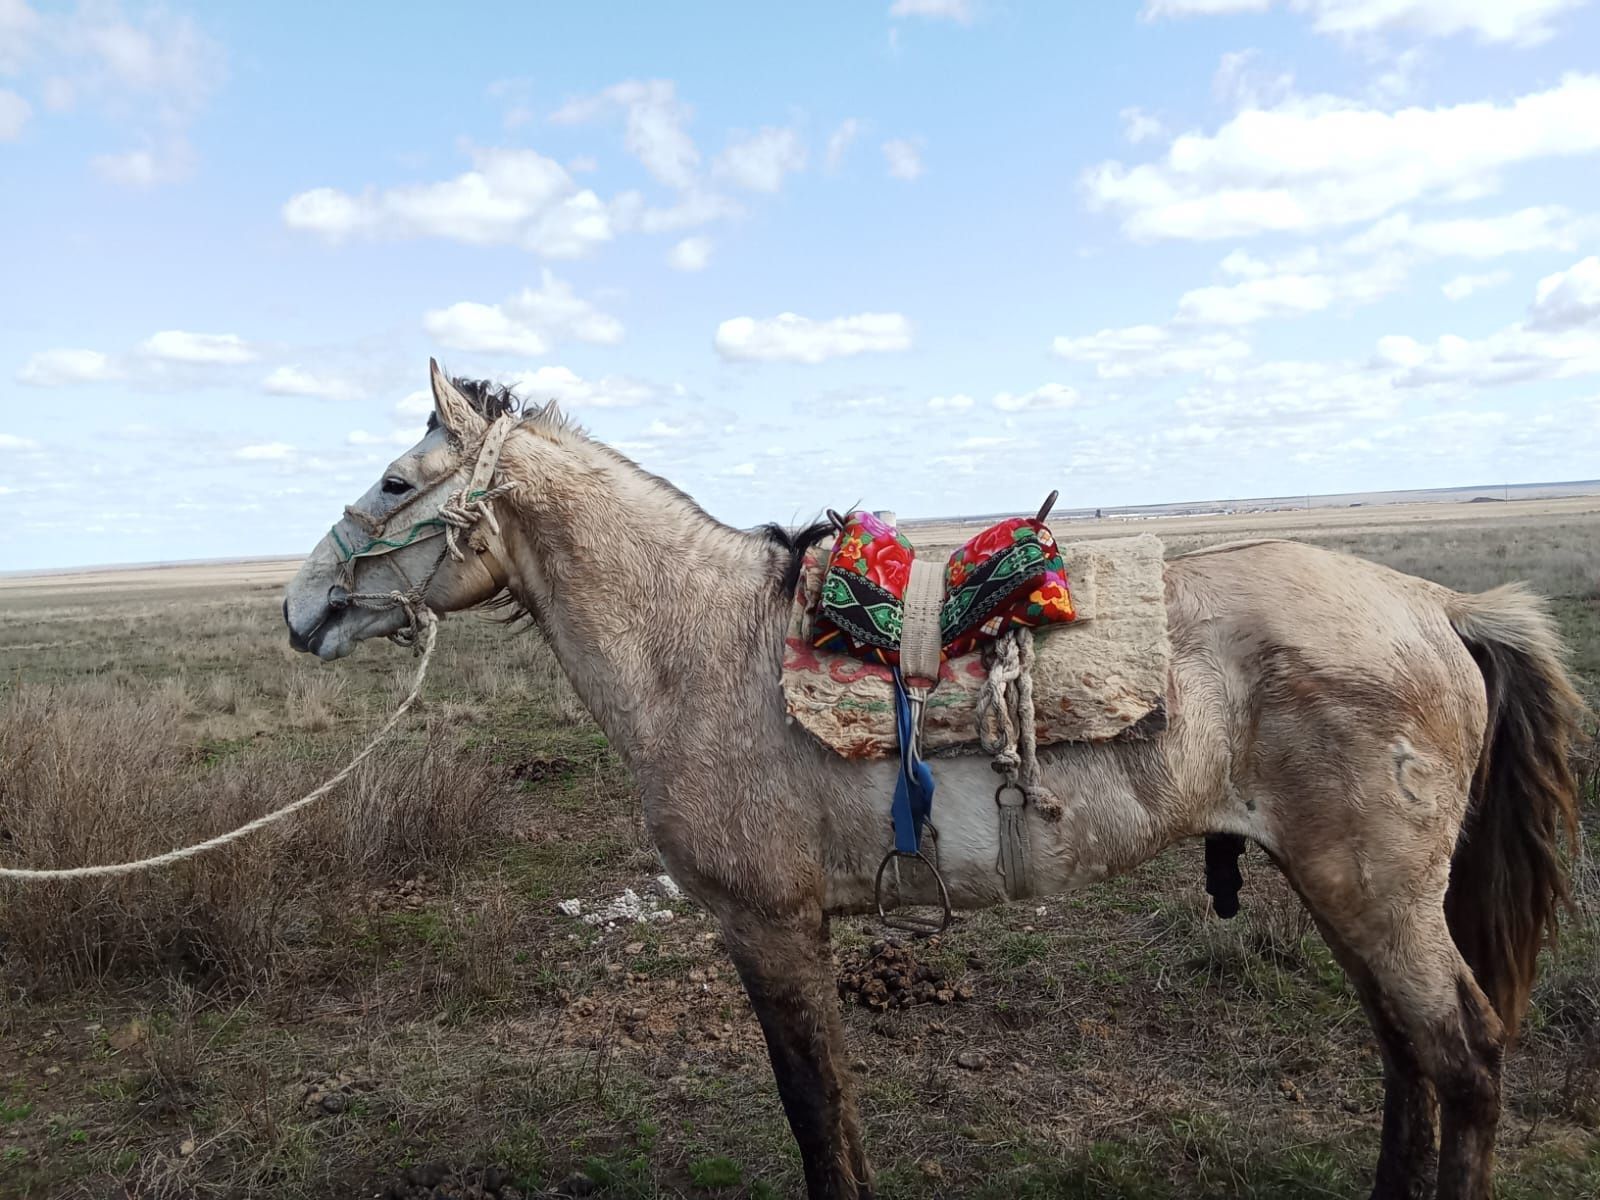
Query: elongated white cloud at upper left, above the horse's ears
[511,198]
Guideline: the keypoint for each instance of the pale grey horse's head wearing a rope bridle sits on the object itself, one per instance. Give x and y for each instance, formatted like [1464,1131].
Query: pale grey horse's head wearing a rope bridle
[409,542]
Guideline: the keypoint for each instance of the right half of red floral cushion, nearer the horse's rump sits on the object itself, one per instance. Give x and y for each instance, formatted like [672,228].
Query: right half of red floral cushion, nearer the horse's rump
[1009,575]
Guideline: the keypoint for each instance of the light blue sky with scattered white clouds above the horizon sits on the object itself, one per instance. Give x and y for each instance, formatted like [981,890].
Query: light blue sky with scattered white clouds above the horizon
[937,257]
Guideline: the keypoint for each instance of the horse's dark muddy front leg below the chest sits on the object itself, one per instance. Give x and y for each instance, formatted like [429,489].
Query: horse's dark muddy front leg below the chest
[788,970]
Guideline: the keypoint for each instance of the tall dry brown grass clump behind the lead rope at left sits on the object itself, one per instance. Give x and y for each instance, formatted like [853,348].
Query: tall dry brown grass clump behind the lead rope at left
[102,774]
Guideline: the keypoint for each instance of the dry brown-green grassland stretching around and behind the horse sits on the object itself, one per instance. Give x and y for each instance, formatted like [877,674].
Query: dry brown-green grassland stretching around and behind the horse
[385,994]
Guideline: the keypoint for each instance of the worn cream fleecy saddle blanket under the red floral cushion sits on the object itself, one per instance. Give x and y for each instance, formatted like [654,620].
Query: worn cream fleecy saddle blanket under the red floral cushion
[1100,678]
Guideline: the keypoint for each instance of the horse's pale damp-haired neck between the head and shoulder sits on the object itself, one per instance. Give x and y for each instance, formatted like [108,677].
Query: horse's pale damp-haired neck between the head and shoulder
[646,601]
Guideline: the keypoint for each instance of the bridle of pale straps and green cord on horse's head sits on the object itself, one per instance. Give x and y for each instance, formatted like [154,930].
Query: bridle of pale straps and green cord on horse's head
[455,519]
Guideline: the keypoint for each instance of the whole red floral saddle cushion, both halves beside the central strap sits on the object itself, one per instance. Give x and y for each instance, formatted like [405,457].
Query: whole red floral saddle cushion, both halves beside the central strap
[1010,575]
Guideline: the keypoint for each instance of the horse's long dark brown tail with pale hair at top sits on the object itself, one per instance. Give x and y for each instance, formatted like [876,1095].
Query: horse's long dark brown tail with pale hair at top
[1506,881]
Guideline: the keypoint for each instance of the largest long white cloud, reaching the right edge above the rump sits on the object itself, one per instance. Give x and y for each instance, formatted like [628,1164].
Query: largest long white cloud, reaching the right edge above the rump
[1321,162]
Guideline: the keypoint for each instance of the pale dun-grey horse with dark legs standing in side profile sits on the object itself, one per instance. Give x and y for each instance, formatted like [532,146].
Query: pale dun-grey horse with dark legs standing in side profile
[1399,750]
